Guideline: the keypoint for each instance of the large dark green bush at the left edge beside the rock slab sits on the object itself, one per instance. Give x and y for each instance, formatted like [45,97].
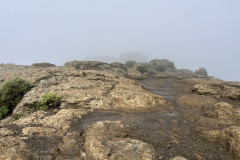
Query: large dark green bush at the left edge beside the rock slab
[12,91]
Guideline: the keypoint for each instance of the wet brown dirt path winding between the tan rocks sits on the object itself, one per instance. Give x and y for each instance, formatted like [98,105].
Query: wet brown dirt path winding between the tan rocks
[168,131]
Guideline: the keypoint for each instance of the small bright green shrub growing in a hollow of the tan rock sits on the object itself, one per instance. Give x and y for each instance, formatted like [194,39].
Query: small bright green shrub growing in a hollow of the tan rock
[48,101]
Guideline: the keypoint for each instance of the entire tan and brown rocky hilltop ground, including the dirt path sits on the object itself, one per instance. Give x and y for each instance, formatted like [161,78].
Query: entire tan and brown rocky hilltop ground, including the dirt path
[104,115]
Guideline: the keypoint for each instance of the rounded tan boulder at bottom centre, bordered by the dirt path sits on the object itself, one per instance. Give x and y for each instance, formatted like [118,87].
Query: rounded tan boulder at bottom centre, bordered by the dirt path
[108,140]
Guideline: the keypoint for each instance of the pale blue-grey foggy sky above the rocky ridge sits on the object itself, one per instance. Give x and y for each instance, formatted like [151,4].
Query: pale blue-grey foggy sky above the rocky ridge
[191,33]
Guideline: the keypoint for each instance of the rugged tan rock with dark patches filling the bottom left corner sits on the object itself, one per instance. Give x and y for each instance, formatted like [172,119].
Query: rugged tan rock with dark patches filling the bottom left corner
[43,136]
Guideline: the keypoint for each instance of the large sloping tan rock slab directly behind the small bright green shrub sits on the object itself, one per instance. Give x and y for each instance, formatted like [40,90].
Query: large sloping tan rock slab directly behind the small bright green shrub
[89,89]
